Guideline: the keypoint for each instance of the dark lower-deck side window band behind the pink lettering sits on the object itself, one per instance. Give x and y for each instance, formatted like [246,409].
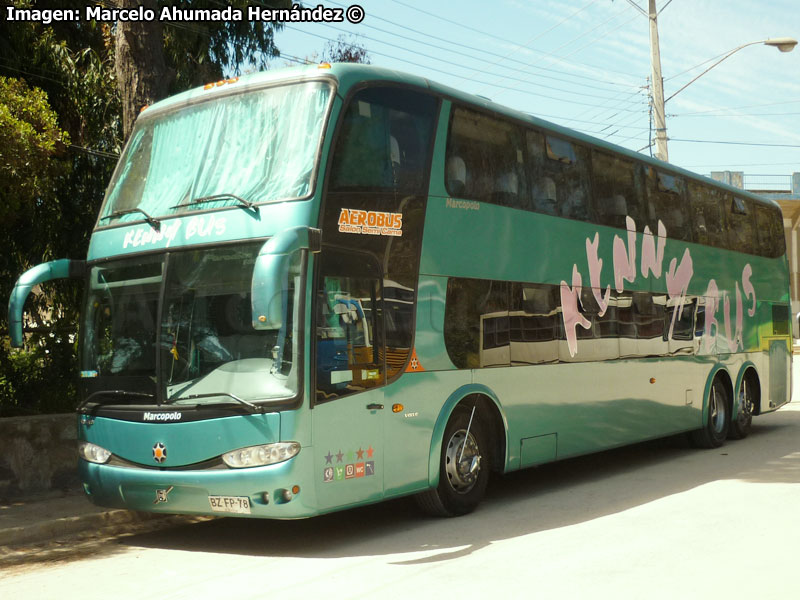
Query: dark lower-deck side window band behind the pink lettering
[496,323]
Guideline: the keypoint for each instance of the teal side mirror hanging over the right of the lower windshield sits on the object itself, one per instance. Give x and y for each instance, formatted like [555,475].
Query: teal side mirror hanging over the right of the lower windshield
[271,274]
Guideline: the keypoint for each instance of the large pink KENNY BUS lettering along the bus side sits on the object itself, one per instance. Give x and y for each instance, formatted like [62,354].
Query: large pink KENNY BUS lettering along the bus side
[677,278]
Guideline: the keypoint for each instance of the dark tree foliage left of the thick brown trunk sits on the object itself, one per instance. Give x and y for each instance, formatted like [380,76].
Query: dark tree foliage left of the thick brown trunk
[58,84]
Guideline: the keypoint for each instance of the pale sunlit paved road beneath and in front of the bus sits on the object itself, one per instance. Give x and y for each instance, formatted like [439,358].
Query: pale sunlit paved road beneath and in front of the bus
[658,520]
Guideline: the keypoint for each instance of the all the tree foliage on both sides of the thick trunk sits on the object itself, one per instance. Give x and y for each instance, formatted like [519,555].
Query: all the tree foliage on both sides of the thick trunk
[61,115]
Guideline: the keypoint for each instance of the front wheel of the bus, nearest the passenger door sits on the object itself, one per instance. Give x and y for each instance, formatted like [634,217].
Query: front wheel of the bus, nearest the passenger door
[462,483]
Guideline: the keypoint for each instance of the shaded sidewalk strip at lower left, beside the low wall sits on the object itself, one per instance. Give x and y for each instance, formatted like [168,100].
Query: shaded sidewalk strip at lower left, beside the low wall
[44,519]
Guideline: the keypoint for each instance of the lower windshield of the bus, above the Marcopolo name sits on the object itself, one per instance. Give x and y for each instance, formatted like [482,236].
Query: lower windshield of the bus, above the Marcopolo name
[188,339]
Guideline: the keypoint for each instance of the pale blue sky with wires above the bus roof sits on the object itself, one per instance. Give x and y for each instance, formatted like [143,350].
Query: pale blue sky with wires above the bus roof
[585,64]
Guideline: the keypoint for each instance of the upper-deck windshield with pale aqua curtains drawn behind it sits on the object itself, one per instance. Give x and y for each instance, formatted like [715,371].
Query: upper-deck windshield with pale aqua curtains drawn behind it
[256,147]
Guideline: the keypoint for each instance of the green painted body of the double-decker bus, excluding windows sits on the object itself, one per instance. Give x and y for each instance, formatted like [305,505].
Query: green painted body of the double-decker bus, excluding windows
[545,412]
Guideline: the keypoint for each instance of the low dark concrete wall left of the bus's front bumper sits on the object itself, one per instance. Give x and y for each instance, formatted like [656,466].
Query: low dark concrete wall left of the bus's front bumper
[37,454]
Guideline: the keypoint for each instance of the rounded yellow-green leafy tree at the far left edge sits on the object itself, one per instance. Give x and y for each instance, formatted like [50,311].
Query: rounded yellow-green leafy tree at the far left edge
[33,167]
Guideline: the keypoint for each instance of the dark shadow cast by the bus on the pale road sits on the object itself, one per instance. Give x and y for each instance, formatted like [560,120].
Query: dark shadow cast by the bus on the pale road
[561,494]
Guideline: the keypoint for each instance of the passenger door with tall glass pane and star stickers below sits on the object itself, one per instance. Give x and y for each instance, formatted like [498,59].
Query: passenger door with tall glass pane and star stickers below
[349,375]
